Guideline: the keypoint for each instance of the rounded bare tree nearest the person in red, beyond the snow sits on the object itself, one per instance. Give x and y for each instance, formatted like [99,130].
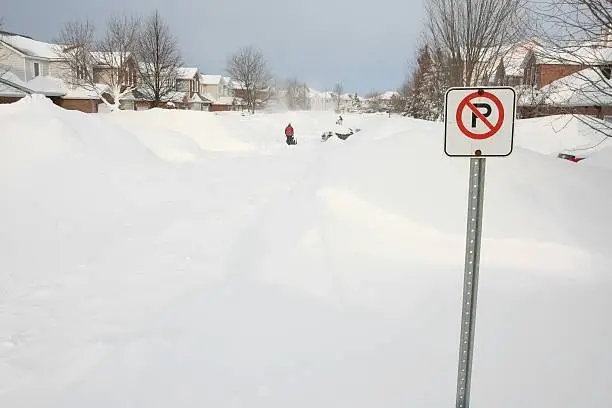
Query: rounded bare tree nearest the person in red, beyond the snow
[249,68]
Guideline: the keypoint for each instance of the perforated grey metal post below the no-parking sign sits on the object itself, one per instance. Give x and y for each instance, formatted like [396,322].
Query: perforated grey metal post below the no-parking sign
[470,282]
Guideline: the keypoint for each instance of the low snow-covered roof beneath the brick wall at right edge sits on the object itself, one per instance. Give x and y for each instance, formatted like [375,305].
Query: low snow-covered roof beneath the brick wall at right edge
[584,88]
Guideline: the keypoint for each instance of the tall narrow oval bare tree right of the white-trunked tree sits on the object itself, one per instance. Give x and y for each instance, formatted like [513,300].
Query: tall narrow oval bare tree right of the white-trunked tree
[158,60]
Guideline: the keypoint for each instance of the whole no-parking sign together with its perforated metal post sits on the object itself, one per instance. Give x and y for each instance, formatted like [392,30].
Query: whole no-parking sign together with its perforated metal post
[479,123]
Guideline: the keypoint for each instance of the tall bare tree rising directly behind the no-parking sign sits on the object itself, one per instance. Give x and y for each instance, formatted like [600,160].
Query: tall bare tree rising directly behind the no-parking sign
[473,34]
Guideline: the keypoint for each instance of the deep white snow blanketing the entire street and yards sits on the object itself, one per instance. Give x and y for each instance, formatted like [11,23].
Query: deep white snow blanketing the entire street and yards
[179,259]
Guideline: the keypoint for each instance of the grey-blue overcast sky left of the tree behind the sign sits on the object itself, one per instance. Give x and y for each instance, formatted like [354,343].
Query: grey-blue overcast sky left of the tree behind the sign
[320,42]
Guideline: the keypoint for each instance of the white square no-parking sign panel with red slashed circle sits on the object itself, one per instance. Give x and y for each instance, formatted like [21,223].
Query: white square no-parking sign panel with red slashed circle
[479,122]
